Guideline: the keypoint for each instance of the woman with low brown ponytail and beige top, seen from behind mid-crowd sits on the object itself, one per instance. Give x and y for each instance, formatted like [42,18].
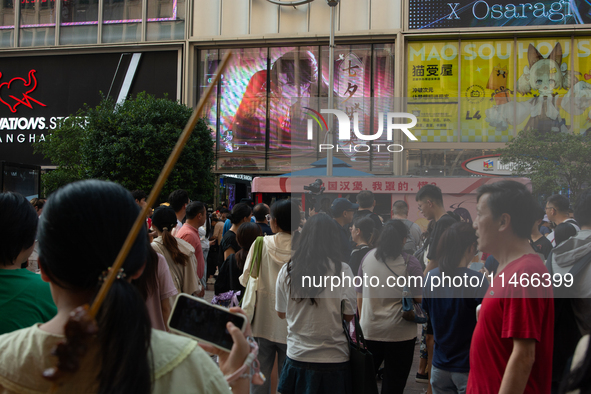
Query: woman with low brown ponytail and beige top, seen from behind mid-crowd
[179,254]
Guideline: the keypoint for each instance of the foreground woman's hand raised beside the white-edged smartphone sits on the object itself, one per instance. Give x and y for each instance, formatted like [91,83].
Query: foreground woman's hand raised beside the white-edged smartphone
[230,362]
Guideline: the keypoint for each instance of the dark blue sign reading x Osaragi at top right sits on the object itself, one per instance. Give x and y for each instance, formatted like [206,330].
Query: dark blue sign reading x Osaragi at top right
[438,14]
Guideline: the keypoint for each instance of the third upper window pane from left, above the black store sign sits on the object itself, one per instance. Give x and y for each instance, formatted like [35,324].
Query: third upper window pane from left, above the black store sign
[79,22]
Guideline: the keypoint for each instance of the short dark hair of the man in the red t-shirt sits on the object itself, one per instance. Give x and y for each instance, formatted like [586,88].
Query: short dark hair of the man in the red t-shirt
[514,199]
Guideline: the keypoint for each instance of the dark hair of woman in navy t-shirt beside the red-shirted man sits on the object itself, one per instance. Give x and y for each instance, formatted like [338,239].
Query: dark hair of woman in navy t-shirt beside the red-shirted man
[453,244]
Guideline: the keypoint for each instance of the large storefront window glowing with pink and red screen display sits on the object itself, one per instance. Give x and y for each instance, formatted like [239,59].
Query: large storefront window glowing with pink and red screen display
[266,95]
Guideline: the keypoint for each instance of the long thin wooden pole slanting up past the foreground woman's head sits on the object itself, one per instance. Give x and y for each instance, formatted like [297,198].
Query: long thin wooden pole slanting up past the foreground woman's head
[172,159]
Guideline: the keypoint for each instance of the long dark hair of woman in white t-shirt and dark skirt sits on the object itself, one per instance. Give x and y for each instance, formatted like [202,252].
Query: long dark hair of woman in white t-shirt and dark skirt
[319,244]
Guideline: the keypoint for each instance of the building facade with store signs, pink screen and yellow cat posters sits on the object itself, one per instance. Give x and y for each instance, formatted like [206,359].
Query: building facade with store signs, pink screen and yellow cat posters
[473,73]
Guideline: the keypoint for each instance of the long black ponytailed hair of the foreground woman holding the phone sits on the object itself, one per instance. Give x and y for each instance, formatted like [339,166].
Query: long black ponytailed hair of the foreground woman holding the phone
[83,226]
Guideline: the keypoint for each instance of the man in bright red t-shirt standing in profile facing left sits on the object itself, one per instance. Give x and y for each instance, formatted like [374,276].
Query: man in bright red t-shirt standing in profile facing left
[511,350]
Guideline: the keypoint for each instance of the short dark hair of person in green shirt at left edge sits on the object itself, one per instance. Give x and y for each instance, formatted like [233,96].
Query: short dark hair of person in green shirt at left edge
[19,226]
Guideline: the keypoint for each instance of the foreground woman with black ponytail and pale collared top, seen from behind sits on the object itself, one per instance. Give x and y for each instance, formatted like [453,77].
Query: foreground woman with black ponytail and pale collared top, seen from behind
[81,232]
